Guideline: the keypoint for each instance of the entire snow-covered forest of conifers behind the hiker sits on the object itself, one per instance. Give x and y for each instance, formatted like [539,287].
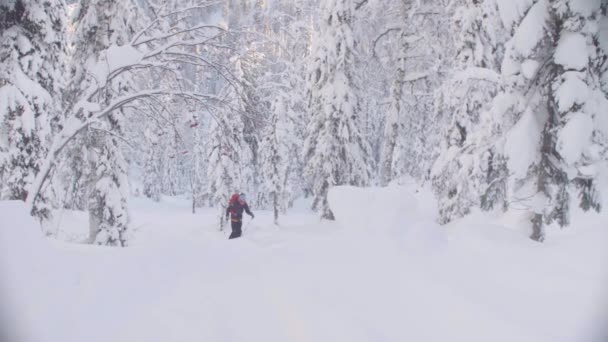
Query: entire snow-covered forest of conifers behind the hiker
[498,105]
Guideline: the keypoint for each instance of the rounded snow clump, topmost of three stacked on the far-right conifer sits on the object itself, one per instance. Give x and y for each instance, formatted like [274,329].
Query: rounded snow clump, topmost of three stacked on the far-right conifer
[571,51]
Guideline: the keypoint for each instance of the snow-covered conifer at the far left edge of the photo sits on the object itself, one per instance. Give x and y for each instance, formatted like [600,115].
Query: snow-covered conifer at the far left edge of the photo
[32,57]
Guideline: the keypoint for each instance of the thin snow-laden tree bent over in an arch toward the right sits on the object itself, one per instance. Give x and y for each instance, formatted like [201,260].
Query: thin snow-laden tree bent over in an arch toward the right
[155,47]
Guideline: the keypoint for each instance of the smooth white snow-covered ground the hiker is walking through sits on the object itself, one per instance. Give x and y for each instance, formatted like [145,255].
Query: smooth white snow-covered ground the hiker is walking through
[384,271]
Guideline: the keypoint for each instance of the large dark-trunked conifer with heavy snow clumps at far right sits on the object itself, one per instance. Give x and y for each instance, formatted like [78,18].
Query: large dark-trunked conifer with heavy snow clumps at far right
[552,101]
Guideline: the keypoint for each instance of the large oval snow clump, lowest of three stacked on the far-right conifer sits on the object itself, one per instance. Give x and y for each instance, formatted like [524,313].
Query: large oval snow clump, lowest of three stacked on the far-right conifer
[574,137]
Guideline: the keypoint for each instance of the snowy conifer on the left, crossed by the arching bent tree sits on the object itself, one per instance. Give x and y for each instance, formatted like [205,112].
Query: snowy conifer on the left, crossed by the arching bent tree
[100,27]
